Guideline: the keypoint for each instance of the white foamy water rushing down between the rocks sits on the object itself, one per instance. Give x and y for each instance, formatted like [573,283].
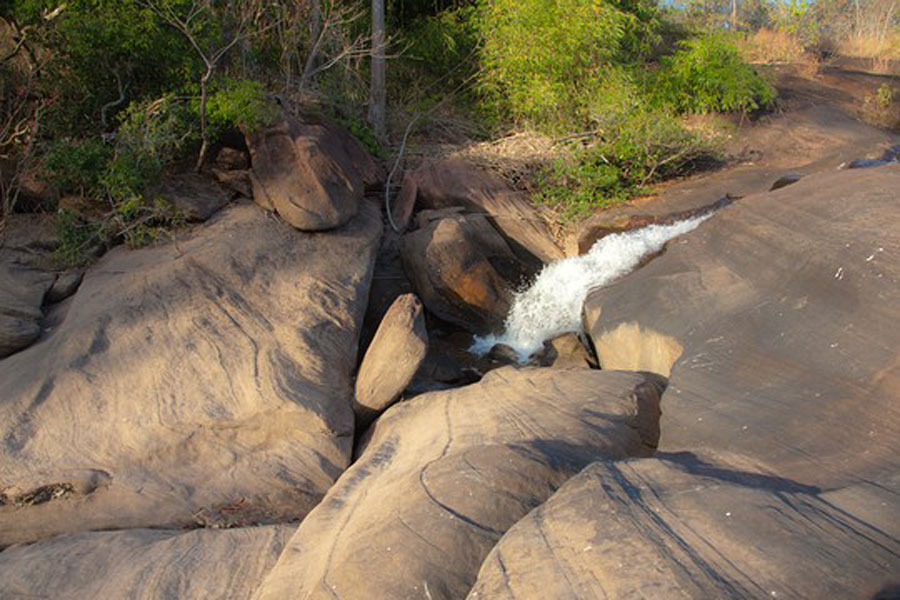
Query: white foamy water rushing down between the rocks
[552,304]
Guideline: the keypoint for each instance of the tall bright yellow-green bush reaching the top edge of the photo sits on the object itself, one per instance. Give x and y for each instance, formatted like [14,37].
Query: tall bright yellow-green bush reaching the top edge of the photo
[542,62]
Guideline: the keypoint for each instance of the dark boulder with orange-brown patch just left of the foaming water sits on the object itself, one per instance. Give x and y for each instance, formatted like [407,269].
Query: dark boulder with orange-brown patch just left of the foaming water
[462,270]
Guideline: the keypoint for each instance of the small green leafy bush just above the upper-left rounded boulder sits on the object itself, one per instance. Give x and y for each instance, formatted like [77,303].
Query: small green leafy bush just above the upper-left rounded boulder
[241,103]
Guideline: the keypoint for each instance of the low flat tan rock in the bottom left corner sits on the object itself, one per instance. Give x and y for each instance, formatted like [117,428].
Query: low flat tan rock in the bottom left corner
[143,564]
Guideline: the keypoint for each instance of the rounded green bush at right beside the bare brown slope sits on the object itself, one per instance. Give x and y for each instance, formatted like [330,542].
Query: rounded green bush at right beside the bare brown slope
[707,74]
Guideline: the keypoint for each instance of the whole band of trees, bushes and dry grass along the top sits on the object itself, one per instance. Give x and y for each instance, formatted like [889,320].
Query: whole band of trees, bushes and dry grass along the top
[101,97]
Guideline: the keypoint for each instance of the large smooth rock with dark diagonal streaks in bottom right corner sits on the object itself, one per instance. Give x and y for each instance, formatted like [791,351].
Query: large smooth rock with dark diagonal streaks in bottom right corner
[682,528]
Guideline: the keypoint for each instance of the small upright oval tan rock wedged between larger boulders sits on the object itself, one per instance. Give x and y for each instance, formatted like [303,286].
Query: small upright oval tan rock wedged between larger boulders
[397,350]
